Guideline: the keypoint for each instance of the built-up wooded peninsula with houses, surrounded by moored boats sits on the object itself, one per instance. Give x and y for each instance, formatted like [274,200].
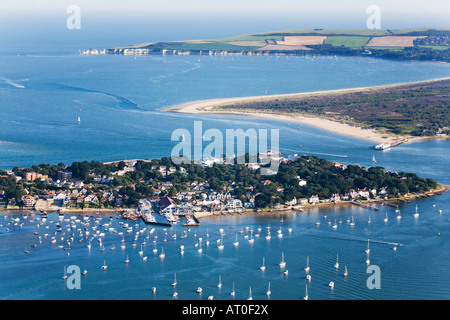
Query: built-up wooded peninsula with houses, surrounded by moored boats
[201,188]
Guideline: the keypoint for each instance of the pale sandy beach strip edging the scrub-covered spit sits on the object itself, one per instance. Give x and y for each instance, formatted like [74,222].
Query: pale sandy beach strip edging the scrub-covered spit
[210,106]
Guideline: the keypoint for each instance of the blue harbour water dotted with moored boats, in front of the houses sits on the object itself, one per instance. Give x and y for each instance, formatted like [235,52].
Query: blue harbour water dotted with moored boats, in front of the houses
[416,270]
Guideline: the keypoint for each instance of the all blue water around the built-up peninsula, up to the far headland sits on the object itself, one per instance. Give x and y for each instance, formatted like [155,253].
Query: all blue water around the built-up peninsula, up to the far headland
[120,102]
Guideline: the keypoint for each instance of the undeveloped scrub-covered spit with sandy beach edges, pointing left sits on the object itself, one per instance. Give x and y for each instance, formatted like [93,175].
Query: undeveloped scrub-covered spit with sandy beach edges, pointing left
[389,114]
